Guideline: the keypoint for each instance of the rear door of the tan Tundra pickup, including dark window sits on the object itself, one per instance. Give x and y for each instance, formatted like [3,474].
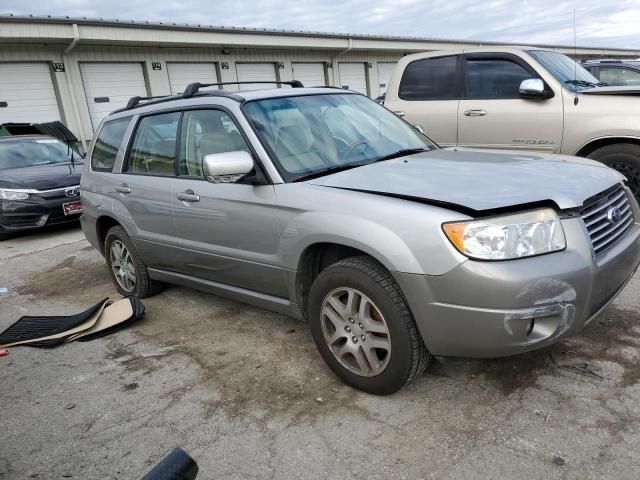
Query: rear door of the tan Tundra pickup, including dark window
[428,95]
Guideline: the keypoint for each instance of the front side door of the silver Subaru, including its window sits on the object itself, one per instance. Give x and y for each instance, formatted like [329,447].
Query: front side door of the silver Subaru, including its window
[228,231]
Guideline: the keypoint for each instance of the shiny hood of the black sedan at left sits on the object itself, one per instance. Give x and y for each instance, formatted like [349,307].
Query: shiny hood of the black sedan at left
[41,177]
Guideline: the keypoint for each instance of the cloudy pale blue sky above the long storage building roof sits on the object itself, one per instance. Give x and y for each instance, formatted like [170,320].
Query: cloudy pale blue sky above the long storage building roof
[599,23]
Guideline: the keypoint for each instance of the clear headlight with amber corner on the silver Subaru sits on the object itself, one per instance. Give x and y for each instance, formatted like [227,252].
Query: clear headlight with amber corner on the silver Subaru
[508,236]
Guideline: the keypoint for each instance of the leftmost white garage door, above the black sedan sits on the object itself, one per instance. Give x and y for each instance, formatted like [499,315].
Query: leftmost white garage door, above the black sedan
[27,94]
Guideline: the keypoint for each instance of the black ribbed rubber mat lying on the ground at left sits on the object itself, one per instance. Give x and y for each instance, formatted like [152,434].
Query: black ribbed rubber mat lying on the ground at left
[28,328]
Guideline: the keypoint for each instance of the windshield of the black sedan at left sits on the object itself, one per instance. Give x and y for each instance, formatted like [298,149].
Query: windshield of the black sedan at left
[23,152]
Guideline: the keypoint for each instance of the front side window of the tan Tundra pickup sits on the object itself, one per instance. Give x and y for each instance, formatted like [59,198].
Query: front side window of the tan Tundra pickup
[494,78]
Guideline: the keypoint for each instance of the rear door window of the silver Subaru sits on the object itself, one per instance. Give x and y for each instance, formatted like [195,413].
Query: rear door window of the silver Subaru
[153,151]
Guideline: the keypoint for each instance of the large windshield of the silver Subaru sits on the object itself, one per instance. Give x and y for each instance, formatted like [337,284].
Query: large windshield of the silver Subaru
[314,134]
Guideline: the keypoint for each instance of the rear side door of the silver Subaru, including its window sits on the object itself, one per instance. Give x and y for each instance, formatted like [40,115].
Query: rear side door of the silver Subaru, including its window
[143,189]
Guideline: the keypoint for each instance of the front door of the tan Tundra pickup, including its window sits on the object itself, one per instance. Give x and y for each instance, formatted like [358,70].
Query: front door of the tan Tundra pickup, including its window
[493,115]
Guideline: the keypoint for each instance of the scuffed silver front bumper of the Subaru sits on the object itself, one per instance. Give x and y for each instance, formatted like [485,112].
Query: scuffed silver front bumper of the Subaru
[492,309]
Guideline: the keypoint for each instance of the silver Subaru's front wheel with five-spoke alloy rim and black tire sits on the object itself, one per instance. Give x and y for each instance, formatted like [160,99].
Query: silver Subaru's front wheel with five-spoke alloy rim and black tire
[363,328]
